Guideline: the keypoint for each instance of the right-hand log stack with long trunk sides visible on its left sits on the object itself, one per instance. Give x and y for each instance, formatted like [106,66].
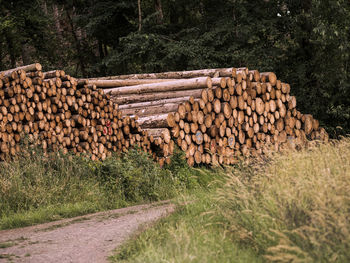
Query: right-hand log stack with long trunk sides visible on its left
[213,115]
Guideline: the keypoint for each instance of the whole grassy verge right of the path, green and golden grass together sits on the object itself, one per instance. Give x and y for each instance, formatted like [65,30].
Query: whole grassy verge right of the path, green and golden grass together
[293,208]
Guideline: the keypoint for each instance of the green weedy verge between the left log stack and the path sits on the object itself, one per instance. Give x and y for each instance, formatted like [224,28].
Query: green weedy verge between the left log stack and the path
[36,188]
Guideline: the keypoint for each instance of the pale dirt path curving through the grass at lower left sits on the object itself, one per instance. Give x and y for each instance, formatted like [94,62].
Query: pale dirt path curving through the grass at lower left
[90,238]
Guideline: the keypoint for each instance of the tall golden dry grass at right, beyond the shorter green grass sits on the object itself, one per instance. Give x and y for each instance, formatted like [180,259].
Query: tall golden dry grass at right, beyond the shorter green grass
[295,208]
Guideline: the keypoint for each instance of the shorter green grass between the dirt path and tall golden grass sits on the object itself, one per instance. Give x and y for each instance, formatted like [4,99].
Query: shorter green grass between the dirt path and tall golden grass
[193,233]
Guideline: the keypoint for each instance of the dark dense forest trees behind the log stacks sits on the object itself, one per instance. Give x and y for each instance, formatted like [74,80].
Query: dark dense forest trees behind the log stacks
[306,42]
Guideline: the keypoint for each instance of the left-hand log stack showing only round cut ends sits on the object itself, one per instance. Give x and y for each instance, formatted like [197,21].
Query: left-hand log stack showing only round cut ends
[60,113]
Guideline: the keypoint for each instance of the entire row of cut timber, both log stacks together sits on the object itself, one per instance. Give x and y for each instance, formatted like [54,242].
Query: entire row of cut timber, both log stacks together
[213,115]
